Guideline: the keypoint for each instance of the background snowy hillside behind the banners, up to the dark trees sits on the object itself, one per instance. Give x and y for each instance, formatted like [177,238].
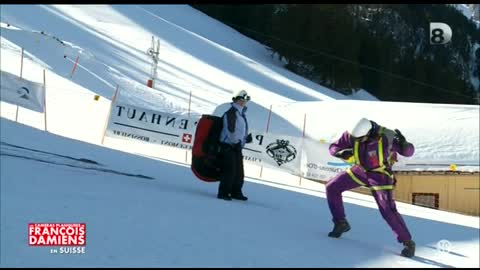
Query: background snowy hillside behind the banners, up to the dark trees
[203,57]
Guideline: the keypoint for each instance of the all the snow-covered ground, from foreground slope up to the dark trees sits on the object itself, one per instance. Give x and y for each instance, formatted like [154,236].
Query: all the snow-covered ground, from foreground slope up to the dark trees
[142,205]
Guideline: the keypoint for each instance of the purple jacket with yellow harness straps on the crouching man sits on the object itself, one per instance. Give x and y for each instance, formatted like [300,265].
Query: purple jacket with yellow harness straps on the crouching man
[368,150]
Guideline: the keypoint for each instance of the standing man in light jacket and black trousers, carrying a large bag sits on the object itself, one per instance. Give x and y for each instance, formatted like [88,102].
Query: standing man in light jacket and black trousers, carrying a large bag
[233,137]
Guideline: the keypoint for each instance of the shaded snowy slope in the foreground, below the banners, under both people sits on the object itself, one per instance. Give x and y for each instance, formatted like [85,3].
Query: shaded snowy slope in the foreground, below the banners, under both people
[175,220]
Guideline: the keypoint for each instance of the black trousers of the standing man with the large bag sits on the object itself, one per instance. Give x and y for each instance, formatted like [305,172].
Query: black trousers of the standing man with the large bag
[231,178]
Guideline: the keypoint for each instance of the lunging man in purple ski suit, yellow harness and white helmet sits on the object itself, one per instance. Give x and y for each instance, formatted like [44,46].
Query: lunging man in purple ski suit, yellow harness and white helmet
[374,150]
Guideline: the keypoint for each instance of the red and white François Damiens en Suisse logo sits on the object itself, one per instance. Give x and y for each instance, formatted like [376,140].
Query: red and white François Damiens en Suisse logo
[64,238]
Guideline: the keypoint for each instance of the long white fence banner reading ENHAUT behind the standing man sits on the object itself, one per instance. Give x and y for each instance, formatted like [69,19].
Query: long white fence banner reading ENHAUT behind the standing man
[294,154]
